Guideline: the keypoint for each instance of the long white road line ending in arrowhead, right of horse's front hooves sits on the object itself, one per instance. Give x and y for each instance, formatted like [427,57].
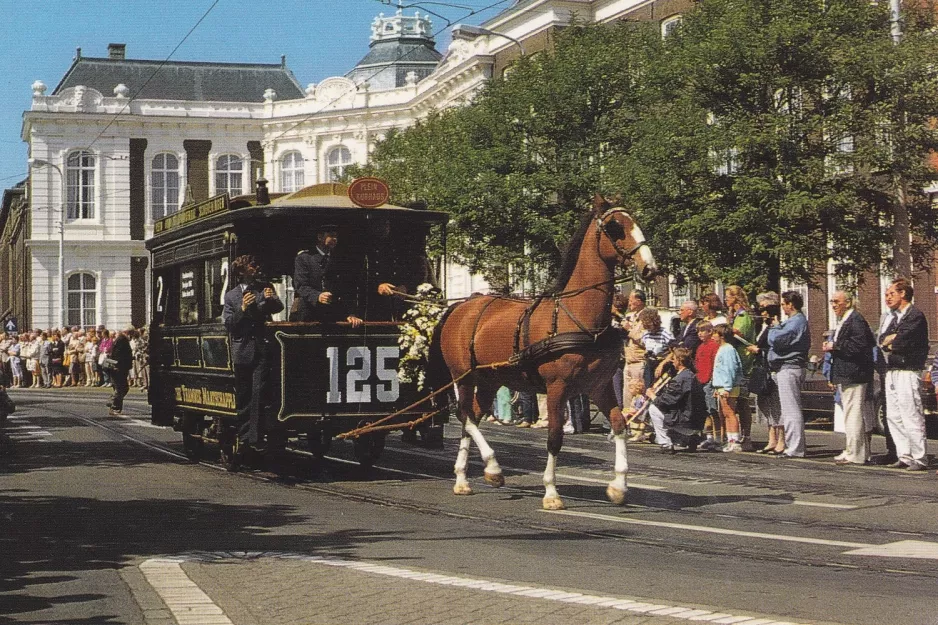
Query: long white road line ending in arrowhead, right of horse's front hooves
[902,549]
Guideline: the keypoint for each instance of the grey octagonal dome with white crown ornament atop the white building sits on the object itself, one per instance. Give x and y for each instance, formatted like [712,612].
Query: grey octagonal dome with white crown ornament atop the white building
[402,52]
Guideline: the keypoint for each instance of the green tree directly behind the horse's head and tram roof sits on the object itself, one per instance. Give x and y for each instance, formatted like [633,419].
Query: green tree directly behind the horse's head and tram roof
[516,166]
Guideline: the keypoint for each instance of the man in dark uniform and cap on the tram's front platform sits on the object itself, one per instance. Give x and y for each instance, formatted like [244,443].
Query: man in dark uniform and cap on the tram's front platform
[314,282]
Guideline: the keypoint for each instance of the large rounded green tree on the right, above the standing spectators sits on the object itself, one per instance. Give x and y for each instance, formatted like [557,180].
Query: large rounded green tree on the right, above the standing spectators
[772,134]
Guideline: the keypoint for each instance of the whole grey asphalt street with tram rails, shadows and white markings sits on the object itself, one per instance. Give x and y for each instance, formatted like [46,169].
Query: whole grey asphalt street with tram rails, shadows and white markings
[102,520]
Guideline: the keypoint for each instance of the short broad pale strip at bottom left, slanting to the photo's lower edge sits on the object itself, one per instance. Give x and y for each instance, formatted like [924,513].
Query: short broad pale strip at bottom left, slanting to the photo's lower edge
[188,604]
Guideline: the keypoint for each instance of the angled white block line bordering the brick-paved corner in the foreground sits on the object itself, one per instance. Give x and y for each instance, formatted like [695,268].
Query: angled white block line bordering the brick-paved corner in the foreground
[175,583]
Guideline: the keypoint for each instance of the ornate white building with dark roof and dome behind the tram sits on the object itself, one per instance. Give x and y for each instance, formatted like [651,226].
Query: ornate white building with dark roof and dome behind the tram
[120,142]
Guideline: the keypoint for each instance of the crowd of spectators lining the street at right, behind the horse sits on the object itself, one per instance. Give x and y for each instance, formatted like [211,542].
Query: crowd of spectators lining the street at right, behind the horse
[695,383]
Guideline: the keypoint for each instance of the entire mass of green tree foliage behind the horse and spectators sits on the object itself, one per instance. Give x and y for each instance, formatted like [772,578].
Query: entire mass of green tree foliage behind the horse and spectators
[761,138]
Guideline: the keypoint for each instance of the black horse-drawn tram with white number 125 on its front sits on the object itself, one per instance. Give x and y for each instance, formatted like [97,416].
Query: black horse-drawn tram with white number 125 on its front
[324,378]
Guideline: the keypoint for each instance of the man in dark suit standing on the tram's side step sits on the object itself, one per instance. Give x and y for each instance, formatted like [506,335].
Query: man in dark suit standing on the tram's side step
[248,306]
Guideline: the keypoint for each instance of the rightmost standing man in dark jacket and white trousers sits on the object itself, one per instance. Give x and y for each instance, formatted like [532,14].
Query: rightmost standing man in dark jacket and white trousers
[905,344]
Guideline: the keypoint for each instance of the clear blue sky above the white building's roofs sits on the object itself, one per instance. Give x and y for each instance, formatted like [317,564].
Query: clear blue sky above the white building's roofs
[320,38]
